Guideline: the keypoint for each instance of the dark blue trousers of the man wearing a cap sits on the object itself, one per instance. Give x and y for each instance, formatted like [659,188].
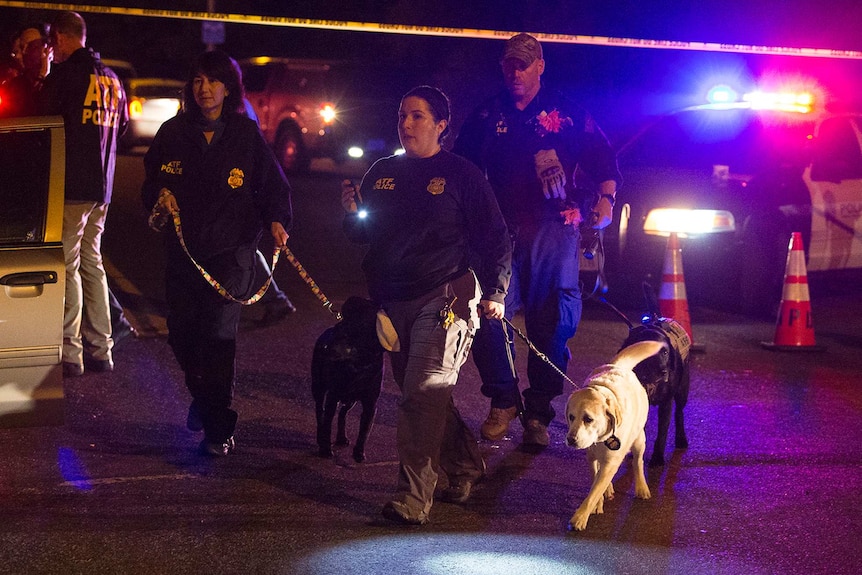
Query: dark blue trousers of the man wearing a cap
[545,285]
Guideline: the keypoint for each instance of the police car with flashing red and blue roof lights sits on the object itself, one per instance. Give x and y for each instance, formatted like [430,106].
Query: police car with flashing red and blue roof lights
[733,178]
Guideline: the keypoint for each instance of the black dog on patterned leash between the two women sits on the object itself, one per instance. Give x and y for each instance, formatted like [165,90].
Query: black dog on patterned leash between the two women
[346,367]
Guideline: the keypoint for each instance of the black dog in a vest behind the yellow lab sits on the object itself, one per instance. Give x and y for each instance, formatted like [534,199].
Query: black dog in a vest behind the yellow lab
[665,376]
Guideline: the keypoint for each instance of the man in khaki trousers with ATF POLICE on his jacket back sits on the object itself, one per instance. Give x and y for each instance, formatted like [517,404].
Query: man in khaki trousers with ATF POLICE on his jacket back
[93,104]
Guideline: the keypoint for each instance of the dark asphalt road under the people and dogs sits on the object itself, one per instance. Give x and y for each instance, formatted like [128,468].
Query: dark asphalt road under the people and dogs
[771,482]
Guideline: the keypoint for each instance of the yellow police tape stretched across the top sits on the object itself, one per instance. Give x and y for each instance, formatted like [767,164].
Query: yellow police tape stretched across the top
[443,31]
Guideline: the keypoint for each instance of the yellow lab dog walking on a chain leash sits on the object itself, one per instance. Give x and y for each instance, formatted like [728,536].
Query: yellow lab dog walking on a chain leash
[607,418]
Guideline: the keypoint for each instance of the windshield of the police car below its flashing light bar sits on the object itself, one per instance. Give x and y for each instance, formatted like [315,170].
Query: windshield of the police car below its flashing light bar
[700,139]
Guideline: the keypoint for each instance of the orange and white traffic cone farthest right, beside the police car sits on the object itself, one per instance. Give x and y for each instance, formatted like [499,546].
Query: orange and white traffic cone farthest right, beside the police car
[794,328]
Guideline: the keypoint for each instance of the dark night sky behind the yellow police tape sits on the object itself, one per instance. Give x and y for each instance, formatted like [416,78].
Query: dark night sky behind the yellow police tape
[618,84]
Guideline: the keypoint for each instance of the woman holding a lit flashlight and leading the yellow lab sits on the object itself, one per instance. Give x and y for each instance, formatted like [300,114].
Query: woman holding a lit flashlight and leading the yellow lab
[423,214]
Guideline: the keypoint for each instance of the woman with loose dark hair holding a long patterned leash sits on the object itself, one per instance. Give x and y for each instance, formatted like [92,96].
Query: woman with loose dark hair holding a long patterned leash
[211,165]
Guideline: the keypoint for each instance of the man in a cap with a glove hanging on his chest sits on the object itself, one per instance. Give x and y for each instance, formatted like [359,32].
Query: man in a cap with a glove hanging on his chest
[532,143]
